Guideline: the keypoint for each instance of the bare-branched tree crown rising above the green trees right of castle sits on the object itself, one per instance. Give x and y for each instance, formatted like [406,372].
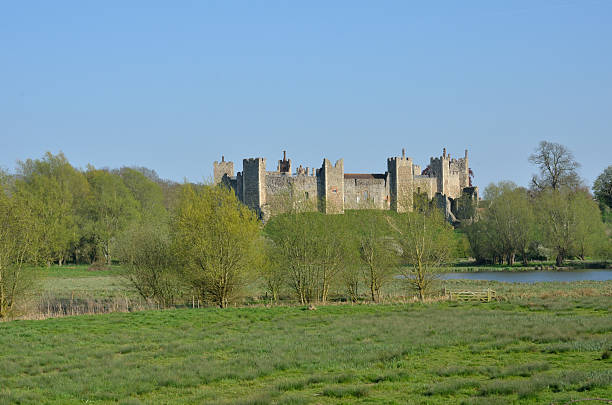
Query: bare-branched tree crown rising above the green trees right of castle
[557,167]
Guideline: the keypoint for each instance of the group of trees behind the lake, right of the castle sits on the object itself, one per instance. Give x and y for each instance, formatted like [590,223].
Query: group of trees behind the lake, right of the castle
[556,217]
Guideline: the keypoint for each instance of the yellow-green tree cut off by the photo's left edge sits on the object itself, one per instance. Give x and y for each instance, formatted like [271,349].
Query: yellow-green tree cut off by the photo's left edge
[19,242]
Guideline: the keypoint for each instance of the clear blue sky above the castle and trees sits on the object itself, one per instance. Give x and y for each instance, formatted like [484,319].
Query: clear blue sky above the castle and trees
[174,85]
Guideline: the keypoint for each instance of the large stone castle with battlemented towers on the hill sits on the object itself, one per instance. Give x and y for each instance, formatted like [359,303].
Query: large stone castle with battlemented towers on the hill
[330,190]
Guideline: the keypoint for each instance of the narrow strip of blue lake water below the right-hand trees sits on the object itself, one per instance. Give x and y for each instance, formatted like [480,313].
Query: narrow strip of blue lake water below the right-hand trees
[533,276]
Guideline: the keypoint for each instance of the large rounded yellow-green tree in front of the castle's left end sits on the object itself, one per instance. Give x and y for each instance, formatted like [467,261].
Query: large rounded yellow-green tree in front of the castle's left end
[217,241]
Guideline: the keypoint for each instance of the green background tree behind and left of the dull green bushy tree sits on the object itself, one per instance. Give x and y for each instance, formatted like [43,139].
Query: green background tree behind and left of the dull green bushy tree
[111,207]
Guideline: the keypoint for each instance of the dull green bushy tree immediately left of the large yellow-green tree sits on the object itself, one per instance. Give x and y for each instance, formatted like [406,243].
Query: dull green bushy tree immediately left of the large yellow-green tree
[145,252]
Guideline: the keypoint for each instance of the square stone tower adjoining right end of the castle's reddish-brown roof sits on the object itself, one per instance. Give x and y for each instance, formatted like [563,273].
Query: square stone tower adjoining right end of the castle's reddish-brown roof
[401,183]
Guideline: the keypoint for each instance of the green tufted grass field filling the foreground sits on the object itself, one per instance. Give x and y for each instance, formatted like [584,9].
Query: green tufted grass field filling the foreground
[441,353]
